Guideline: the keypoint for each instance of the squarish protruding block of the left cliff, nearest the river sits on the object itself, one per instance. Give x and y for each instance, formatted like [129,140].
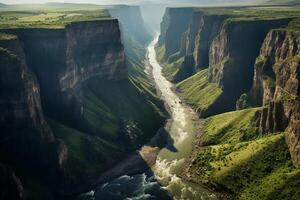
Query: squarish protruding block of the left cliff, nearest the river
[93,49]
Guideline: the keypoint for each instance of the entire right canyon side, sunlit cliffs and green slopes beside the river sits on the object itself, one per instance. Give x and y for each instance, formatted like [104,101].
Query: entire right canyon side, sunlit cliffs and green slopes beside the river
[253,65]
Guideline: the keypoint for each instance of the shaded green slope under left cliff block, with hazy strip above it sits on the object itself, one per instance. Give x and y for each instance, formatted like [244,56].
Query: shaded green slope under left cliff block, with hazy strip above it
[128,106]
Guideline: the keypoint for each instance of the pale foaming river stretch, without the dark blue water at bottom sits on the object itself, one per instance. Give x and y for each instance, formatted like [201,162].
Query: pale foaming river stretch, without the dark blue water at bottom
[182,131]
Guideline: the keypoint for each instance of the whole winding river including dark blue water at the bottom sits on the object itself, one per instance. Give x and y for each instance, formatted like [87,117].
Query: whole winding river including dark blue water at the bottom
[162,181]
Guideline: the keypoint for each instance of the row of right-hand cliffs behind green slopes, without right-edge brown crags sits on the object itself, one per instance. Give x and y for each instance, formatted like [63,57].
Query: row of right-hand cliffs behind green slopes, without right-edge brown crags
[216,41]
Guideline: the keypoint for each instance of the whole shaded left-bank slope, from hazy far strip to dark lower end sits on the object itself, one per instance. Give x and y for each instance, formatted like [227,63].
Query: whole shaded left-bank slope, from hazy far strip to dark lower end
[120,116]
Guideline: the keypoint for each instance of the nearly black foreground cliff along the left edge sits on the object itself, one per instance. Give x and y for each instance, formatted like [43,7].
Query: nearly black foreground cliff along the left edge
[24,131]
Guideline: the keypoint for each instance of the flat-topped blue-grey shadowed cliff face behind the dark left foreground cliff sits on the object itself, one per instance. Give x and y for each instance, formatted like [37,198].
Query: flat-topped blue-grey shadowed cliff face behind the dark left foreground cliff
[62,59]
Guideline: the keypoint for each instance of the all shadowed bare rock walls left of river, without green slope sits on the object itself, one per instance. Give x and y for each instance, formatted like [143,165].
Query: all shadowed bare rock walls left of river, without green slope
[42,72]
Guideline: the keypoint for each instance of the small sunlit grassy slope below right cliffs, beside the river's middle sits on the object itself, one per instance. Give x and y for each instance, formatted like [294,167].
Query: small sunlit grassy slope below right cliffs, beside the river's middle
[198,92]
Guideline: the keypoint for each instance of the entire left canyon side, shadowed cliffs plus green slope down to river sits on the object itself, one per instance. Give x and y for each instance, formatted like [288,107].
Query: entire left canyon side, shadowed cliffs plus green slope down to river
[69,104]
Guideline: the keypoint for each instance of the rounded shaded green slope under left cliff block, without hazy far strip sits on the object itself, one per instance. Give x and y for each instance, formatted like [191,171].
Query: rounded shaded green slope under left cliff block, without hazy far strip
[113,105]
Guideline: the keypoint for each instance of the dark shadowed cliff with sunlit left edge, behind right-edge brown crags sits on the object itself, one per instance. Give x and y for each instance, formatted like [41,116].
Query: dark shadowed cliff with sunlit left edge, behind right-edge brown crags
[230,63]
